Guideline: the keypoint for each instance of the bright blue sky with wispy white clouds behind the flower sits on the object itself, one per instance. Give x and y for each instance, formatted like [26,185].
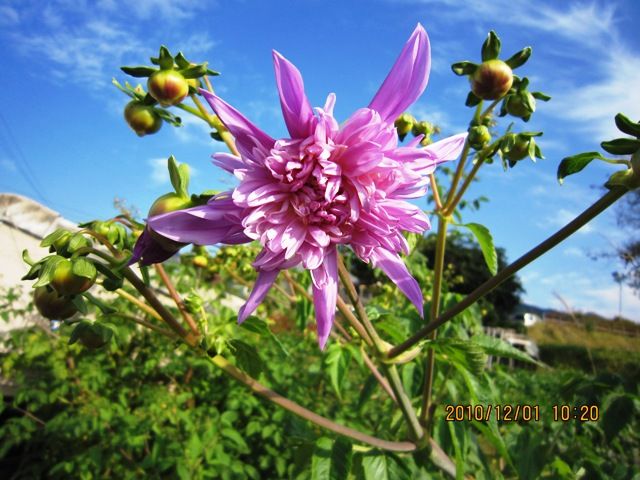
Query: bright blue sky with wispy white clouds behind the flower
[63,140]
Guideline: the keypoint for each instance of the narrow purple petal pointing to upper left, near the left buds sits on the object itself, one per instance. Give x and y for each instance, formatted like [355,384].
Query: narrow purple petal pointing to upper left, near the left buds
[248,136]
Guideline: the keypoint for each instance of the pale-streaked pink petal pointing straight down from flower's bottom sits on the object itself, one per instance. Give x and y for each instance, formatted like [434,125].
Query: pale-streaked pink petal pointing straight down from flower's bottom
[325,295]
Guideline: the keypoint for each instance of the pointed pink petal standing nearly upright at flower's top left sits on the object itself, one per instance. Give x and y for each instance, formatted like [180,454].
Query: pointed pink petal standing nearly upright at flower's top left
[296,109]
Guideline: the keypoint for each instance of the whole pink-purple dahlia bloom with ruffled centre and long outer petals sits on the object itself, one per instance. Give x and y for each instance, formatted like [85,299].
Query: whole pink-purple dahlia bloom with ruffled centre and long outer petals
[326,185]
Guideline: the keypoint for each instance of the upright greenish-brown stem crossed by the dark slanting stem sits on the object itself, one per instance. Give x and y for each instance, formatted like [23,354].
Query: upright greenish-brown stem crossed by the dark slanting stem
[438,272]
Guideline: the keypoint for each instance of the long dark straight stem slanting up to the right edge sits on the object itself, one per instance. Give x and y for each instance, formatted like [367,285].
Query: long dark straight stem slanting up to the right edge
[598,207]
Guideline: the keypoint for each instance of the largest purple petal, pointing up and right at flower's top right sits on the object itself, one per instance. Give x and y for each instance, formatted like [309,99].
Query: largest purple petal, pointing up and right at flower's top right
[407,79]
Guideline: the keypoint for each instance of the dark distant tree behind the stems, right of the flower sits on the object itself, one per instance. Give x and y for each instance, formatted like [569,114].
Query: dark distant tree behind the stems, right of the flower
[465,269]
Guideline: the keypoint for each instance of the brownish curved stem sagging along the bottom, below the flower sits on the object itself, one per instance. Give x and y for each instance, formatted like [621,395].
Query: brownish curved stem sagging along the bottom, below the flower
[302,412]
